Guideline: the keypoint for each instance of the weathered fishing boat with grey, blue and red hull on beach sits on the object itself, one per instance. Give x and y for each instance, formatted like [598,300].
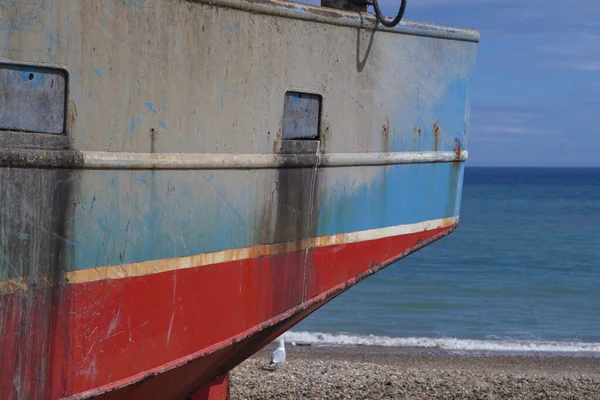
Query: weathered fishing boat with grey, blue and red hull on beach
[183,181]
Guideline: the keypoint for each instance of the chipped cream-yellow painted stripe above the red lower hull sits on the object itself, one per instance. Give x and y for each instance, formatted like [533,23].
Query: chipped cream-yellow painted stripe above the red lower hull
[152,267]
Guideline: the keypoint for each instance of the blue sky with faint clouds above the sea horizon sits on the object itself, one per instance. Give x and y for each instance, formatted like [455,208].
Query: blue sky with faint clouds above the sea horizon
[535,99]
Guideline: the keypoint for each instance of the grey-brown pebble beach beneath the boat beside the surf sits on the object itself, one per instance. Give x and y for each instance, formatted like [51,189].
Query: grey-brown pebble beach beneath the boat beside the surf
[353,373]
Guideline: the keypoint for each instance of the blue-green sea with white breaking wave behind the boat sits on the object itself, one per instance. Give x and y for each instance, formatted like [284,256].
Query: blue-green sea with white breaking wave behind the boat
[521,274]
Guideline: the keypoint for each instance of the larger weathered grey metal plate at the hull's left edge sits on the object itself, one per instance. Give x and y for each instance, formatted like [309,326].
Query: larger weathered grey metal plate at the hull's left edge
[32,99]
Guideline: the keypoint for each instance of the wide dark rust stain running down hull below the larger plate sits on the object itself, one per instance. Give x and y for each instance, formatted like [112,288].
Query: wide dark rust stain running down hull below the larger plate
[36,204]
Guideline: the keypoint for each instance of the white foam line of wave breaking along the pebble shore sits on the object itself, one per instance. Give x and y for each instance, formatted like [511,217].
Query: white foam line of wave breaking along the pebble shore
[317,338]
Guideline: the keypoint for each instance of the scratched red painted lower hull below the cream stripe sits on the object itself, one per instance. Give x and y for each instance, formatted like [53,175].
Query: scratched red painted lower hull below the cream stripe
[165,335]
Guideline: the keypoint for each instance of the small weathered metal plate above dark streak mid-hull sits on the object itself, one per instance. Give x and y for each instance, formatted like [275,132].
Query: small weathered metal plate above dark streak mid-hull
[301,115]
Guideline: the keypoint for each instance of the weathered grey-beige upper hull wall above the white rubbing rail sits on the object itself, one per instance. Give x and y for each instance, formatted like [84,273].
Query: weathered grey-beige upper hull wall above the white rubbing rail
[192,77]
